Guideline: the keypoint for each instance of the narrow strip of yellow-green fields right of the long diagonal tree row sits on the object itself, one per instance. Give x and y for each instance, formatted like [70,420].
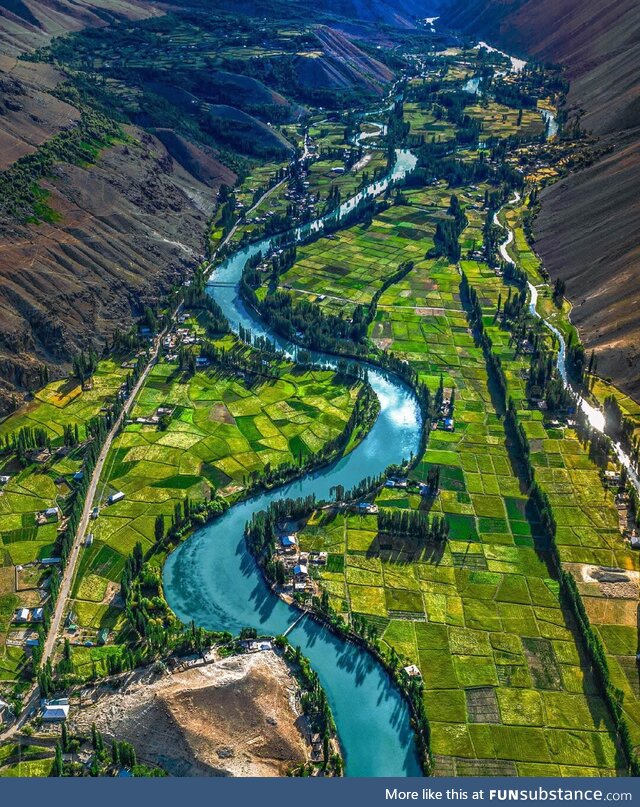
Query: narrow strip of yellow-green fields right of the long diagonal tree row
[588,535]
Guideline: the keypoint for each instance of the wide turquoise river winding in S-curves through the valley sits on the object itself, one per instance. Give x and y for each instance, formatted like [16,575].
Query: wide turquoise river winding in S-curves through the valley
[213,580]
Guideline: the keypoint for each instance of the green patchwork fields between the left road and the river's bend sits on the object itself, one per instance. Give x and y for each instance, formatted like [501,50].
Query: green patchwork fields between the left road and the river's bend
[222,434]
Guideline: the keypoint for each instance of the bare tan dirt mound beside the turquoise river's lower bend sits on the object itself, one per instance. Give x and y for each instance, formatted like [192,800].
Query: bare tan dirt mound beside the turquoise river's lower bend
[236,717]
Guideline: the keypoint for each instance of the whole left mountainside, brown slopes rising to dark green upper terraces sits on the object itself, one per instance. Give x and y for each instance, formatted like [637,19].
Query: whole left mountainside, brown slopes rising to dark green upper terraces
[109,172]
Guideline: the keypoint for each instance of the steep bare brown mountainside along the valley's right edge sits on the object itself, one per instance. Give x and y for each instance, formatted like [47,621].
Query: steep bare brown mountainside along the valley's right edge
[587,231]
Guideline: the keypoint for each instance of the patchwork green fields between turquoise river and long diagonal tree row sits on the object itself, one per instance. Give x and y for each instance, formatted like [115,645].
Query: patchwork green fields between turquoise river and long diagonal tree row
[482,619]
